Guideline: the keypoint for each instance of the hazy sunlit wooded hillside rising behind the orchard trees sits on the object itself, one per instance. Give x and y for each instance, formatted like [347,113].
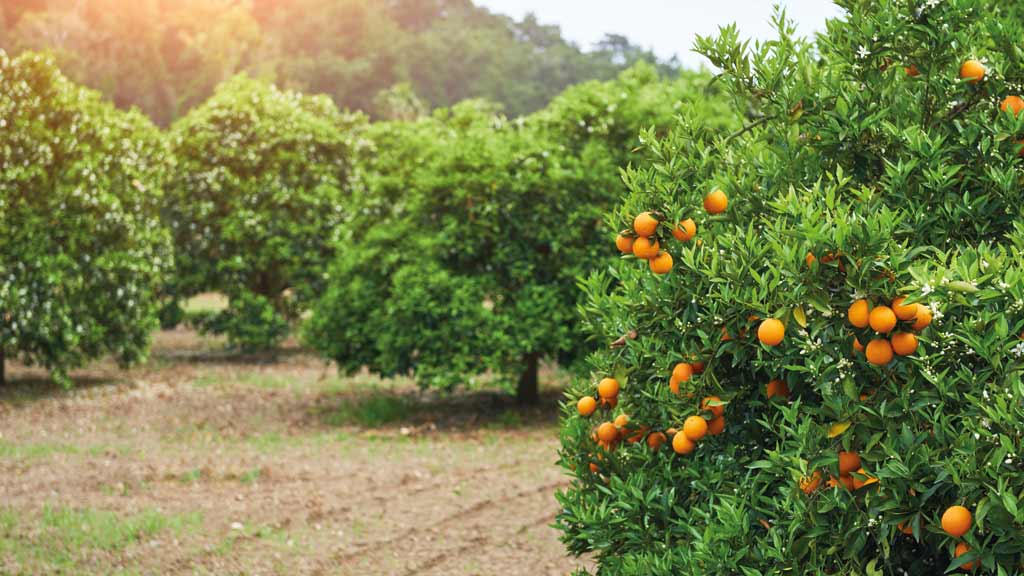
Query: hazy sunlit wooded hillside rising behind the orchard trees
[166,57]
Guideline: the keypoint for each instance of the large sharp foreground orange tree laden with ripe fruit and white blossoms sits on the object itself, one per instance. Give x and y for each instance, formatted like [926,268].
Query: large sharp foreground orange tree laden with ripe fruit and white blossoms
[826,377]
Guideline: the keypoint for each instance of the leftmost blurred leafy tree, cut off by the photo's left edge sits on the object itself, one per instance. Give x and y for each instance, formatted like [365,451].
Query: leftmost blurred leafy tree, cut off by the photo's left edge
[81,244]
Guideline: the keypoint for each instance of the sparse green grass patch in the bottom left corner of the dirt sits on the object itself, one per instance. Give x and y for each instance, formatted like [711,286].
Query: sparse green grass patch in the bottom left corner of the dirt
[61,540]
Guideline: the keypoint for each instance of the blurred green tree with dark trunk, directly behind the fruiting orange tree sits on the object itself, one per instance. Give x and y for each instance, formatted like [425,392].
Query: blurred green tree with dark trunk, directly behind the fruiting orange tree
[465,245]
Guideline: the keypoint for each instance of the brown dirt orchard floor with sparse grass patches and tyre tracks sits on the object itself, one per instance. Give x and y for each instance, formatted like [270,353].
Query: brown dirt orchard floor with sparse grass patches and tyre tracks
[203,463]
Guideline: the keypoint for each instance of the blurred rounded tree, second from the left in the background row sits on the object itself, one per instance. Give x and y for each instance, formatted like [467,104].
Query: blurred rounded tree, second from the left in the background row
[257,203]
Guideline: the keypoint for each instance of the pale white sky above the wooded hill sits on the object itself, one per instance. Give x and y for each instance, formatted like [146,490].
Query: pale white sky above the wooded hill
[667,26]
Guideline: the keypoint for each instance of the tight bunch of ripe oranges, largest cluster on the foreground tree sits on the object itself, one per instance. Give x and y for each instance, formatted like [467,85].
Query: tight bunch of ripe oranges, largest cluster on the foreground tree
[884,321]
